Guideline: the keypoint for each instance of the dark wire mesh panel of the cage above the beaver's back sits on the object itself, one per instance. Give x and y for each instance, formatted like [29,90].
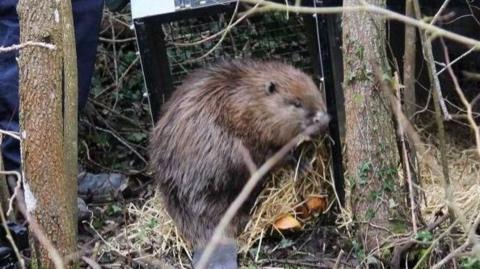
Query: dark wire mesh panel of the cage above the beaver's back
[268,36]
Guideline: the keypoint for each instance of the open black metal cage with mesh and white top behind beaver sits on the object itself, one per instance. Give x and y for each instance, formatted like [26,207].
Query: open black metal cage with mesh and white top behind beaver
[309,42]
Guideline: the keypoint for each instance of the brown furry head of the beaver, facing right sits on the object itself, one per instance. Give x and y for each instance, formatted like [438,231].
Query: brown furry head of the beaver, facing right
[282,101]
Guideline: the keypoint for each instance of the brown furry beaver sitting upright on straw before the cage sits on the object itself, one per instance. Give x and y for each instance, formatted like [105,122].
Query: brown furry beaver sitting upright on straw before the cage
[195,147]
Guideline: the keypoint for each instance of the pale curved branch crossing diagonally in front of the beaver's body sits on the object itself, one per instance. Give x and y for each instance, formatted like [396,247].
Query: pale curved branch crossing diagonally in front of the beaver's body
[247,189]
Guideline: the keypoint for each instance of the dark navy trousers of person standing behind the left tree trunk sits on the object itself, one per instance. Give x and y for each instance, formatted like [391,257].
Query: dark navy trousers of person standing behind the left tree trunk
[87,15]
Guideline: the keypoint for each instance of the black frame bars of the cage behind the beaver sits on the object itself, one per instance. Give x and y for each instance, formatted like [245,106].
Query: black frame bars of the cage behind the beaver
[159,83]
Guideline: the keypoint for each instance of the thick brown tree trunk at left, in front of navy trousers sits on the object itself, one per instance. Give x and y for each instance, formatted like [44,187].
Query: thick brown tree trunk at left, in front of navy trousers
[48,194]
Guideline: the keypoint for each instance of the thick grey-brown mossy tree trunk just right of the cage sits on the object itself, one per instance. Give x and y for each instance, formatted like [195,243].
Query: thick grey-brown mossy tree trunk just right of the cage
[376,197]
